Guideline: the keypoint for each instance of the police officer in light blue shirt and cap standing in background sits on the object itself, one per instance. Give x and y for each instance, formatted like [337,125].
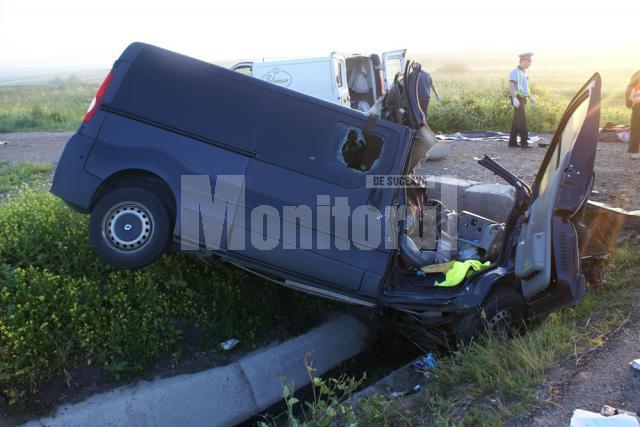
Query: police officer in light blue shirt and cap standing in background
[519,92]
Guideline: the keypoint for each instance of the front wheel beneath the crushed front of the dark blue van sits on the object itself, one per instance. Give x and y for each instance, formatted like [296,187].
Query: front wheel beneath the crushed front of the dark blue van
[503,312]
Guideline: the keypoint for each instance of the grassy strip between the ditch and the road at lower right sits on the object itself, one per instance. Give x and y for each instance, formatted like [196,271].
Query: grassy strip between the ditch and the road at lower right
[495,379]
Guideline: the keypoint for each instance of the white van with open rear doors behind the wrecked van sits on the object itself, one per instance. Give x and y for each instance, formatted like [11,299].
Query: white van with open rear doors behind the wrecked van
[355,81]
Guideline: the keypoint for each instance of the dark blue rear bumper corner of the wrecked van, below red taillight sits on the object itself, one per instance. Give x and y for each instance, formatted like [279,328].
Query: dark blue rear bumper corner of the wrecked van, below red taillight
[71,182]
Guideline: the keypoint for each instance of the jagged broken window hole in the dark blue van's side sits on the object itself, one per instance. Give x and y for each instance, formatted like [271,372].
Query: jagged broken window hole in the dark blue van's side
[356,151]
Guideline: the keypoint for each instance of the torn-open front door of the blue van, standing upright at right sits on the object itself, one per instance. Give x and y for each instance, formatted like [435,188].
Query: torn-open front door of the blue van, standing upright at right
[547,251]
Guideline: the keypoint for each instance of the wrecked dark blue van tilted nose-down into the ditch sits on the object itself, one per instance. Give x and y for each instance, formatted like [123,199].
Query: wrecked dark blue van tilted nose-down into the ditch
[182,155]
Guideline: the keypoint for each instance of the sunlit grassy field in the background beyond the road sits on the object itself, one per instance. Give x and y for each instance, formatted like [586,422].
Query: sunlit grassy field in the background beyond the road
[472,99]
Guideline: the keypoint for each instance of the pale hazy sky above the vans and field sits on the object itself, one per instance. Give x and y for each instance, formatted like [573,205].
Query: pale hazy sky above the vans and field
[86,33]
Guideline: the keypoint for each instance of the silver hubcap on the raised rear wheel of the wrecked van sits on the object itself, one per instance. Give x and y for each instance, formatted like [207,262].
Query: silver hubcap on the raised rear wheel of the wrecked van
[128,226]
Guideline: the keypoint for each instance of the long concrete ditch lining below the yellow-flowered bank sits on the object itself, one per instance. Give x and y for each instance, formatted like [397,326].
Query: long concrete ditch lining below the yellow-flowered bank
[220,396]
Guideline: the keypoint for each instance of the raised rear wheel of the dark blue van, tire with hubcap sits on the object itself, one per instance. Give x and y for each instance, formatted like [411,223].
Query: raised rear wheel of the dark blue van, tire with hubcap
[129,227]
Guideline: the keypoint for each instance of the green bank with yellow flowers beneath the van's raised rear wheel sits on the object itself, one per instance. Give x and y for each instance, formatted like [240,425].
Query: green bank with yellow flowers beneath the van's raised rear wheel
[61,308]
